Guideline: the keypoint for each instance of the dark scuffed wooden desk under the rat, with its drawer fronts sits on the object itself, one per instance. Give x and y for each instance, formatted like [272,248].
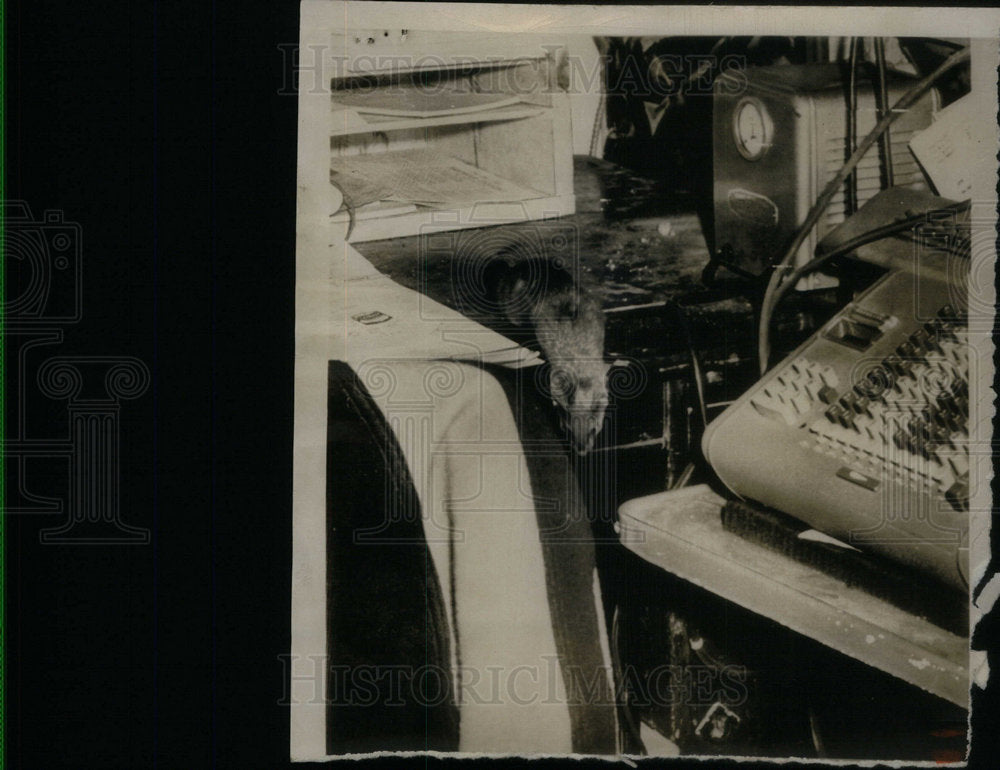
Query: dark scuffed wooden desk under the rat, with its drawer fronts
[640,245]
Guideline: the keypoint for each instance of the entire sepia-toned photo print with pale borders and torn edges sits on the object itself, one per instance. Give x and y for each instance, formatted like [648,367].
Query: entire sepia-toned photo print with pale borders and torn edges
[643,381]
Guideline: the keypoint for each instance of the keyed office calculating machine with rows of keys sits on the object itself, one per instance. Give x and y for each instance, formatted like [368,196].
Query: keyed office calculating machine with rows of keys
[863,432]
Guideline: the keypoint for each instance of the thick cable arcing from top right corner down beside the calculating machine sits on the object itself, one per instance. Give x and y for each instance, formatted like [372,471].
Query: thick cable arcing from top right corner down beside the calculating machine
[821,204]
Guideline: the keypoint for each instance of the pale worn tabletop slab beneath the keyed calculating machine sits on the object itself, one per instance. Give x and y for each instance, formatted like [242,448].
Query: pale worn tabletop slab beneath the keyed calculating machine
[682,533]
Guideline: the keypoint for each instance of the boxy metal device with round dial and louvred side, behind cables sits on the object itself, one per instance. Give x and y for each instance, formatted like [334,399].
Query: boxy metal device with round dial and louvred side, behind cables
[780,135]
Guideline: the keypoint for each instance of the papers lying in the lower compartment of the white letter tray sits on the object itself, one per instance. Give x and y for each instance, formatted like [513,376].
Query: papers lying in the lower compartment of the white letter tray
[423,177]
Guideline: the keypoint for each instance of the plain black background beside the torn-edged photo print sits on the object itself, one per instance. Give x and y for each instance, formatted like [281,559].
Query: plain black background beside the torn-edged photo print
[161,130]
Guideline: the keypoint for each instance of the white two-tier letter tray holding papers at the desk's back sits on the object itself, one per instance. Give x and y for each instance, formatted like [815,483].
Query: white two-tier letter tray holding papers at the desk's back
[484,109]
